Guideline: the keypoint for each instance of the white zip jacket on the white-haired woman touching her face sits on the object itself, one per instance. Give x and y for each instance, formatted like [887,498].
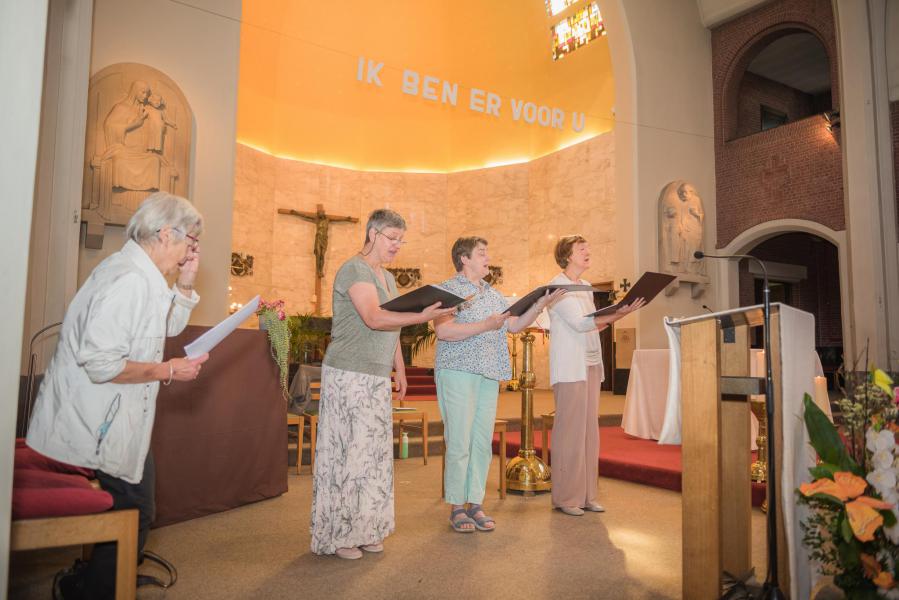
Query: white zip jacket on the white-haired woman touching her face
[124,311]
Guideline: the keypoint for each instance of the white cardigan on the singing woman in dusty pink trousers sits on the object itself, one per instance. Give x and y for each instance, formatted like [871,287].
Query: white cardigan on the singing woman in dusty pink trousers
[568,331]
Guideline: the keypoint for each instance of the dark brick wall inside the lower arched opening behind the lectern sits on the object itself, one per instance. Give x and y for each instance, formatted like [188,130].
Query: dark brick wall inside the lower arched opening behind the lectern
[818,294]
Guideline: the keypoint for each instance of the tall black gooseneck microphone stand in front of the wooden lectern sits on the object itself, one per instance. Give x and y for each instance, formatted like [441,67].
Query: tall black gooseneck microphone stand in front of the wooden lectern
[771,590]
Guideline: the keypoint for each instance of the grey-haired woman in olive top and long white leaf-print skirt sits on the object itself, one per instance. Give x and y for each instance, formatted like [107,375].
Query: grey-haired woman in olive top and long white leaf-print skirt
[352,487]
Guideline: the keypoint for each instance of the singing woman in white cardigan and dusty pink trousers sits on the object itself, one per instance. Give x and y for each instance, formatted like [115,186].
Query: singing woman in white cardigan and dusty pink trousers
[576,372]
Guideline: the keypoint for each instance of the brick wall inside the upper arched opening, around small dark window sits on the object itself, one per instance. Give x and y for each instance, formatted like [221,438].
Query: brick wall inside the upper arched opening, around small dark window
[756,91]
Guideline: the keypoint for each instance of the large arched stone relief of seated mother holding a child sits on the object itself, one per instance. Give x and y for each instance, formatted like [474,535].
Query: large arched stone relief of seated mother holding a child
[138,142]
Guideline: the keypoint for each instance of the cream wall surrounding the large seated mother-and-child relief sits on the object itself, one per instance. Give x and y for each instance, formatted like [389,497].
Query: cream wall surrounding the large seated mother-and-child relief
[197,44]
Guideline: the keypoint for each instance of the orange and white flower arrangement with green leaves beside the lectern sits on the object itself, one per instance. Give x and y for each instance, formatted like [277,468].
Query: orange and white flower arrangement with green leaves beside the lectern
[852,531]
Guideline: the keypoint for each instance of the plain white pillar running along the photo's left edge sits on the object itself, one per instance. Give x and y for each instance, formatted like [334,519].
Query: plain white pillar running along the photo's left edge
[23,28]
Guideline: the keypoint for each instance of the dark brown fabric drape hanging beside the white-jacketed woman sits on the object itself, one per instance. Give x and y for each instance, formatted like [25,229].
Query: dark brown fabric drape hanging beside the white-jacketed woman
[221,441]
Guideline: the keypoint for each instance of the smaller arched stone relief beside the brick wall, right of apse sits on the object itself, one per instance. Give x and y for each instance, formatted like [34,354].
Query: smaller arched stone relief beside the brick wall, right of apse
[681,225]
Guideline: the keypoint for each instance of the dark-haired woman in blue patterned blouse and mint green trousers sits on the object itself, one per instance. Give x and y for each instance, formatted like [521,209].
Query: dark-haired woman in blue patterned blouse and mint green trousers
[472,358]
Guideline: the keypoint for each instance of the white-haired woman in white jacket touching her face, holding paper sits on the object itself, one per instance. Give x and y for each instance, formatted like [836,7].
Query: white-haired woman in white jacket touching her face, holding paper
[97,402]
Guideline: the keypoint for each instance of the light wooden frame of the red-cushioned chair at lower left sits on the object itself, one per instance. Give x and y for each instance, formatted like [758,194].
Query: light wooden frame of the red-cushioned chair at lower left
[118,526]
